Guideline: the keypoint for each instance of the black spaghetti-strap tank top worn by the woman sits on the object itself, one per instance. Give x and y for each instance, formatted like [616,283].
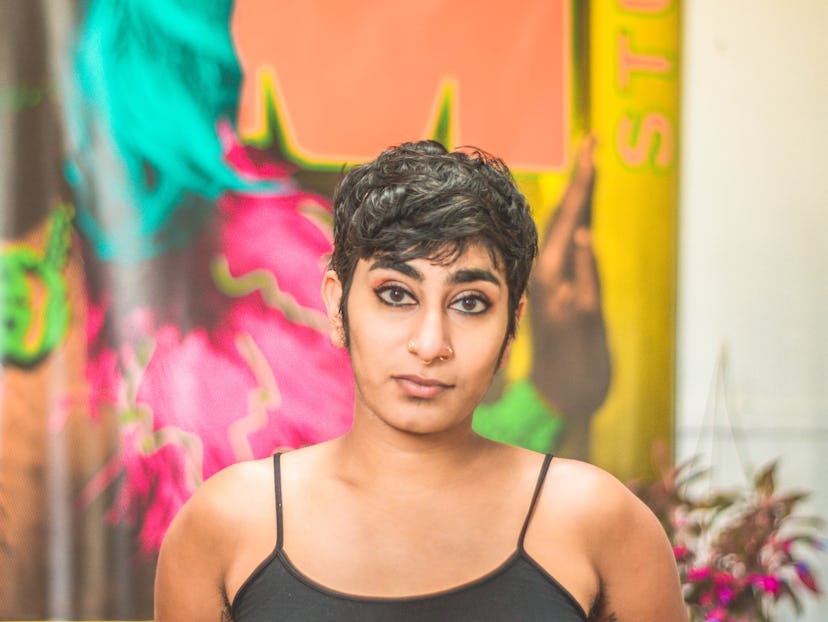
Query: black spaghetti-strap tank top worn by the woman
[519,589]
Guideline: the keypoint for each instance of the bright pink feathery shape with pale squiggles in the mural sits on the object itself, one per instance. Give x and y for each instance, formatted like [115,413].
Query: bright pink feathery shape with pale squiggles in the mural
[263,377]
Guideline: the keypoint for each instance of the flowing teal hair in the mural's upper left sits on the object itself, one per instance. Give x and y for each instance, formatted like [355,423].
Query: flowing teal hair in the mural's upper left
[150,80]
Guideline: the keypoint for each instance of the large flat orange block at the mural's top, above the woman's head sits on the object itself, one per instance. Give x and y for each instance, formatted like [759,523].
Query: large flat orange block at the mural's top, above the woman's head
[350,79]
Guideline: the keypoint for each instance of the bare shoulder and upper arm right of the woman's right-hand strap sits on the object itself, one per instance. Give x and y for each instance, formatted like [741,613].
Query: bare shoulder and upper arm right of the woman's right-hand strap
[619,561]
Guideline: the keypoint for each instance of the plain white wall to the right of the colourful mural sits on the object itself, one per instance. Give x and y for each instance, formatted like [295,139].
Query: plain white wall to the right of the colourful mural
[753,262]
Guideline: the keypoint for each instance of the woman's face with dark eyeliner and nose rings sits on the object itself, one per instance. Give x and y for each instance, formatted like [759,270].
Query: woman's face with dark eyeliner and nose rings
[425,339]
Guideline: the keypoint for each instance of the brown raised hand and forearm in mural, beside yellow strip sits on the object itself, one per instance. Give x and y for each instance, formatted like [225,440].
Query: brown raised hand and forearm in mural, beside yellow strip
[571,366]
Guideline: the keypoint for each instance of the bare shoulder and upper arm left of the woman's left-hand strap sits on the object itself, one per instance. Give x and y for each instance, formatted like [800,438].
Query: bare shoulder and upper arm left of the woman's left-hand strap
[207,538]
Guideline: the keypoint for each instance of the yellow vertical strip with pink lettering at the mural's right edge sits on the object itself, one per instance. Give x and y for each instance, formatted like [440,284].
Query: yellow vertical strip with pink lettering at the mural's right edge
[634,100]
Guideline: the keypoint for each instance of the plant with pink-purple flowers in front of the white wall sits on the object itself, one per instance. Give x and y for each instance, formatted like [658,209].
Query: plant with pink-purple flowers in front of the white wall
[740,551]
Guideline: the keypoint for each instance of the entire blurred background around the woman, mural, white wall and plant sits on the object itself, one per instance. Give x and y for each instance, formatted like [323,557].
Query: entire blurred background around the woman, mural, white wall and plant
[165,180]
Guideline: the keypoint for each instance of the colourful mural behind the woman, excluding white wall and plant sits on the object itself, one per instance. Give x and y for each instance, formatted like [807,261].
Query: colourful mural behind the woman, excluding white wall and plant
[166,176]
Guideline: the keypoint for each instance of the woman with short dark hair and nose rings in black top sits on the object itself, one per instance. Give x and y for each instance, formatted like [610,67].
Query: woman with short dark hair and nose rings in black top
[410,515]
